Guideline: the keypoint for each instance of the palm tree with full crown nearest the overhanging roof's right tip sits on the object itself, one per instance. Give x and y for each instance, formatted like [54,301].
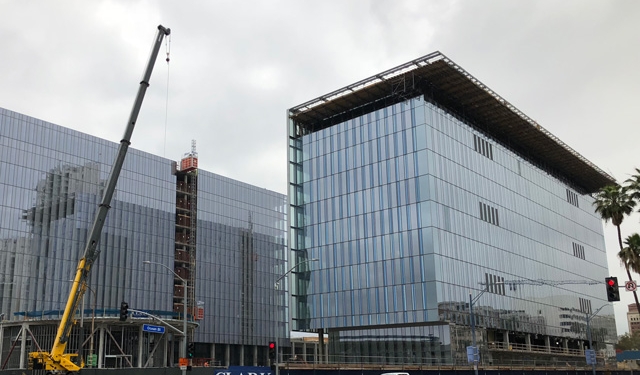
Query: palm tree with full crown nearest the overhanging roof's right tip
[613,203]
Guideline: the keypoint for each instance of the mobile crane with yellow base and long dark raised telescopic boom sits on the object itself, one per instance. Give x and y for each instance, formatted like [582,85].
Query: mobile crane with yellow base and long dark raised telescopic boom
[57,361]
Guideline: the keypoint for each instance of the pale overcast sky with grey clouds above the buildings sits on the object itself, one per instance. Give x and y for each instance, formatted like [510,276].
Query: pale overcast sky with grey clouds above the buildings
[236,66]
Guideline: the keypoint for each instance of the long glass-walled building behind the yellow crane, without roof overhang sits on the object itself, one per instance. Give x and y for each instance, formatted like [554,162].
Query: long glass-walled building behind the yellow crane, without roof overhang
[51,182]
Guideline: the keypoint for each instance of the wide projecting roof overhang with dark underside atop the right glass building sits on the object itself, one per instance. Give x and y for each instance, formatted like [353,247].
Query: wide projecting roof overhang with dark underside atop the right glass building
[446,84]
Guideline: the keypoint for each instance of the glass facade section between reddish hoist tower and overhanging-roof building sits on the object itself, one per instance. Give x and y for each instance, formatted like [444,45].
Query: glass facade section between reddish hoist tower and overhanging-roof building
[241,249]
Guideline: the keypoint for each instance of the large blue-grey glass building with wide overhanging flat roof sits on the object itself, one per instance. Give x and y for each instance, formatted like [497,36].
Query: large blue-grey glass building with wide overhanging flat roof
[420,189]
